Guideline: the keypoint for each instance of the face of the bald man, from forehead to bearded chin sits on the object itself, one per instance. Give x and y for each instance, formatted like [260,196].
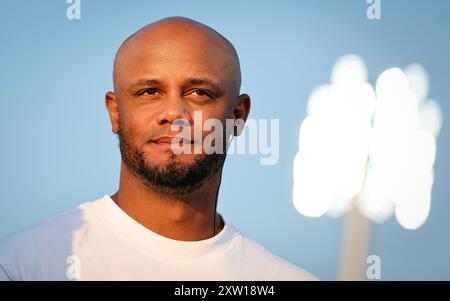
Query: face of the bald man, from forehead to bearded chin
[163,80]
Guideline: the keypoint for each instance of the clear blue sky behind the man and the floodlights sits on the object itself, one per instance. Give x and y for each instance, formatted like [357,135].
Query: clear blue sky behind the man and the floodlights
[57,149]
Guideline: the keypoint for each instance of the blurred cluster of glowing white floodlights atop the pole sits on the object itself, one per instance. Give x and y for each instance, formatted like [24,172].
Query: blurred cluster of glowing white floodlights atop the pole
[378,147]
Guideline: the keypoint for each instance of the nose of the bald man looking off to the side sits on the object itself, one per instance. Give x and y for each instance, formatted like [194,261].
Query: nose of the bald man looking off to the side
[173,108]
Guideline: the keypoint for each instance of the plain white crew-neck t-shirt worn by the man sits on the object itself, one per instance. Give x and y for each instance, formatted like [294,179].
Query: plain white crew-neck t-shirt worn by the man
[99,241]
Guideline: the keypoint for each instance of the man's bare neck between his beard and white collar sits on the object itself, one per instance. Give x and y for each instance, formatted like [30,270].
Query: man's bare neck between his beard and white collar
[188,217]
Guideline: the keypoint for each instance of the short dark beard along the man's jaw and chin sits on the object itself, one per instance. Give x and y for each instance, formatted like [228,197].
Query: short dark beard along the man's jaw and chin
[175,177]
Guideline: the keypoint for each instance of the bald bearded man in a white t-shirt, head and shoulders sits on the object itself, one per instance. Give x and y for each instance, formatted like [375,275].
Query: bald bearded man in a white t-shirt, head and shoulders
[162,222]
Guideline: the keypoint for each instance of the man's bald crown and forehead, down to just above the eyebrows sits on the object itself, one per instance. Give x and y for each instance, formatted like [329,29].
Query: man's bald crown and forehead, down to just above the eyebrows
[162,47]
